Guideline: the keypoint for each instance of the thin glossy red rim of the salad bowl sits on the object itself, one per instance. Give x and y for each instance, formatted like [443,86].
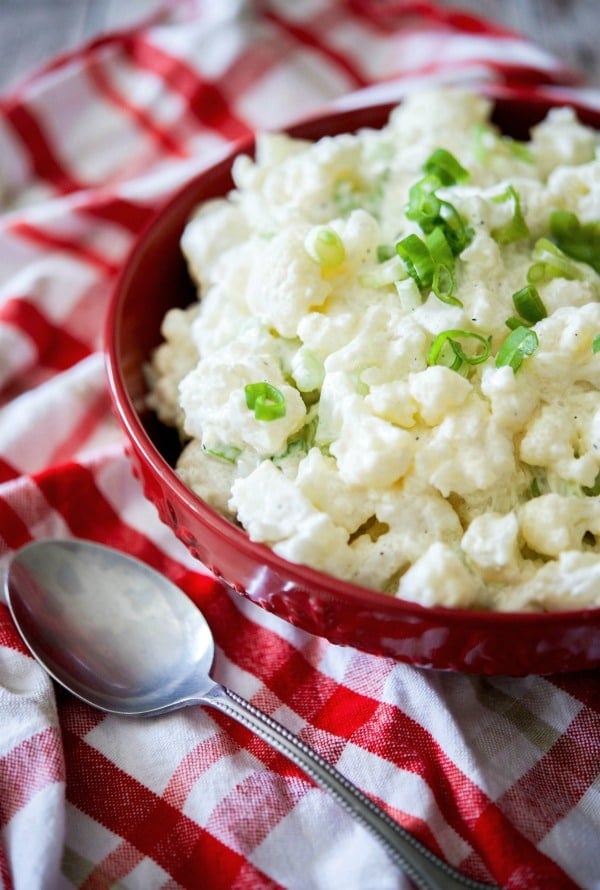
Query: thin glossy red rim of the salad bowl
[301,574]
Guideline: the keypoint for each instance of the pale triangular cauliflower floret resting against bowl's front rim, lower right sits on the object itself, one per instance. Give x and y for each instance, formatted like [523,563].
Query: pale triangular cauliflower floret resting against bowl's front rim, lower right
[439,578]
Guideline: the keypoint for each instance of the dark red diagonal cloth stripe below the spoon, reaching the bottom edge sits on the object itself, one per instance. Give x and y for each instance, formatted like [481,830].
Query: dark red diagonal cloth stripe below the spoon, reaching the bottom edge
[186,851]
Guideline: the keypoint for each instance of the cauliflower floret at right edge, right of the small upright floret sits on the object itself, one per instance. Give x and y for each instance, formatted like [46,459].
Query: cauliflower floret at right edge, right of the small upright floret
[553,523]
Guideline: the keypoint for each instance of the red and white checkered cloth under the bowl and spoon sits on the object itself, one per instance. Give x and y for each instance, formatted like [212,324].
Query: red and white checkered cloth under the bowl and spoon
[499,776]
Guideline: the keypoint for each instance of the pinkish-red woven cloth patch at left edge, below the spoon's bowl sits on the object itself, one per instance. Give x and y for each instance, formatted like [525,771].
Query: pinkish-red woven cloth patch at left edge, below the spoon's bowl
[30,766]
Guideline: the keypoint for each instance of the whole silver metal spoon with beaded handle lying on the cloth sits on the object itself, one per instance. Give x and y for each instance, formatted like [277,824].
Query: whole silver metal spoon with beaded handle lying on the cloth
[126,640]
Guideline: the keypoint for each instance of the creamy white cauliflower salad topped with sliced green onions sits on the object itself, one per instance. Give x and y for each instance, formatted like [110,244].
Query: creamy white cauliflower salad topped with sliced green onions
[391,373]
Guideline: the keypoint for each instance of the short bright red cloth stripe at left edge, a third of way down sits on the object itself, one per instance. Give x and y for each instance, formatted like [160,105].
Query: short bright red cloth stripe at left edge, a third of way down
[56,348]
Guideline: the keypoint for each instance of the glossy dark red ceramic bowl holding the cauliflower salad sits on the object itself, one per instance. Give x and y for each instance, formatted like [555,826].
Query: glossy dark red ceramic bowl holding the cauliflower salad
[154,279]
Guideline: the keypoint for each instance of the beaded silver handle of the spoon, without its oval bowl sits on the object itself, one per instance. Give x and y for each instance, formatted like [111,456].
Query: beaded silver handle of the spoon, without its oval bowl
[426,870]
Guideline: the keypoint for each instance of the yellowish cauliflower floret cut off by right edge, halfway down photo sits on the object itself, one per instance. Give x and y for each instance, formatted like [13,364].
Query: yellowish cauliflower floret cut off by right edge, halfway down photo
[564,437]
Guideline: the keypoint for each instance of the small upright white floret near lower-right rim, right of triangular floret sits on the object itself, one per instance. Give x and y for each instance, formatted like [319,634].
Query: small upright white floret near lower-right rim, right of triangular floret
[491,546]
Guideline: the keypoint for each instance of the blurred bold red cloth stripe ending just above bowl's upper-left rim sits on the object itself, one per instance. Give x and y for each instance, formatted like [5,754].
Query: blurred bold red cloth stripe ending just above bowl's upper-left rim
[206,102]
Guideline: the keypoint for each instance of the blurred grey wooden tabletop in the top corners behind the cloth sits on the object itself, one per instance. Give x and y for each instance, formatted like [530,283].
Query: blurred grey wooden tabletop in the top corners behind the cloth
[32,31]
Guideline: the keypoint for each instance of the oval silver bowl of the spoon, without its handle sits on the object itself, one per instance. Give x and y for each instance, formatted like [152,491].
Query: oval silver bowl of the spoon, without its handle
[107,627]
